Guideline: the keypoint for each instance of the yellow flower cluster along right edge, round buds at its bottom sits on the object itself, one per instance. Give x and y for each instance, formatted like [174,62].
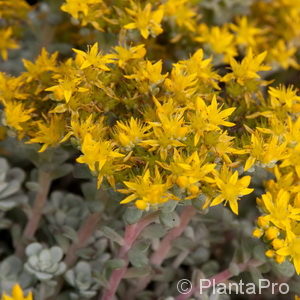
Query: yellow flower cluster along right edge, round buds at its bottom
[280,205]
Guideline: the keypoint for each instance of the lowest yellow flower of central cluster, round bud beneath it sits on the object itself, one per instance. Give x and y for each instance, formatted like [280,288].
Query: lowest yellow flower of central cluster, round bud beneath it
[147,191]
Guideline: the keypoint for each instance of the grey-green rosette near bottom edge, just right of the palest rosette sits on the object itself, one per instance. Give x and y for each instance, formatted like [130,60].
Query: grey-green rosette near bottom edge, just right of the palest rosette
[83,280]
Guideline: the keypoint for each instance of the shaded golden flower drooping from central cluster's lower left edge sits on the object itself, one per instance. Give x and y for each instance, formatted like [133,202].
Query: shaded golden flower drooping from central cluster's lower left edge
[49,134]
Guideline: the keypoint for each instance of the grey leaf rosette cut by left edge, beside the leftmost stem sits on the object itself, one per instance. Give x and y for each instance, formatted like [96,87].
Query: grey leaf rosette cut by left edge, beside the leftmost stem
[11,180]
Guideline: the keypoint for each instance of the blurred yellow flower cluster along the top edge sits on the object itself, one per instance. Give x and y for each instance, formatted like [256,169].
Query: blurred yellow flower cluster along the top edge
[271,26]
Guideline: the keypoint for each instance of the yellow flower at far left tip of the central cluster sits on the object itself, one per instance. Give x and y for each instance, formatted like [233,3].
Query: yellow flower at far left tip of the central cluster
[16,114]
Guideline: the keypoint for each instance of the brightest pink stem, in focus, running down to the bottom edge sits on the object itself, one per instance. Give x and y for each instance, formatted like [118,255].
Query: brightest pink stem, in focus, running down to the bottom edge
[132,232]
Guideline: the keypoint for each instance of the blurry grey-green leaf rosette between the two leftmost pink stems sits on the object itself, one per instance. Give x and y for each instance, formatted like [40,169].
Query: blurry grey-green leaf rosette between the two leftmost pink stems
[64,213]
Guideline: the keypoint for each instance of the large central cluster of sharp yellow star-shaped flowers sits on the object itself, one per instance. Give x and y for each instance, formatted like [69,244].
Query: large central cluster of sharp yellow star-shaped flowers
[172,129]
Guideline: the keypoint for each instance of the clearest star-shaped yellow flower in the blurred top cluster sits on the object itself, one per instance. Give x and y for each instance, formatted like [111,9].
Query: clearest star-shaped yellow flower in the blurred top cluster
[146,20]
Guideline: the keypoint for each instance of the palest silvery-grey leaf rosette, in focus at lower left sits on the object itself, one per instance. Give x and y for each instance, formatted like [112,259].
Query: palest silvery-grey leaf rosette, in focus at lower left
[44,263]
